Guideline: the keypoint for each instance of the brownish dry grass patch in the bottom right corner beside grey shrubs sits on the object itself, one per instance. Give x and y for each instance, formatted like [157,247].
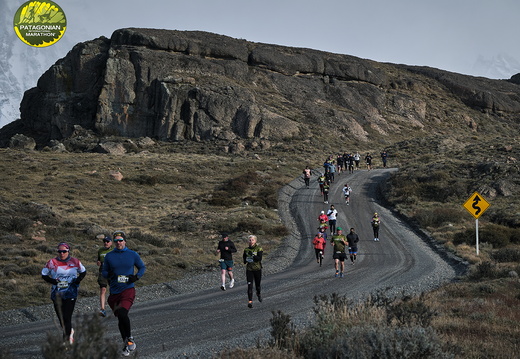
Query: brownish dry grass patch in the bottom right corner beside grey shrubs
[479,319]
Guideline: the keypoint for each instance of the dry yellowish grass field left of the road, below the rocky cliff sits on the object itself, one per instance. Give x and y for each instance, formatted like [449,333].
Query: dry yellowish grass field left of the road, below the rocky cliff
[162,202]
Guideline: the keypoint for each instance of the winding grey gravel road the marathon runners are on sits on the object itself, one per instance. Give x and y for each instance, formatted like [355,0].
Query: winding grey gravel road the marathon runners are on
[194,318]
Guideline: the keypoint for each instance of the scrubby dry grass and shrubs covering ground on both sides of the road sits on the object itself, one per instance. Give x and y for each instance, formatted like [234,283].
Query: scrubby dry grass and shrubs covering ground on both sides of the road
[179,189]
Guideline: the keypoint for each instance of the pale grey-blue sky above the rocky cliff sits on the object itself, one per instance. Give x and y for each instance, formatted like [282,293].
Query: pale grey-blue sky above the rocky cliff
[447,34]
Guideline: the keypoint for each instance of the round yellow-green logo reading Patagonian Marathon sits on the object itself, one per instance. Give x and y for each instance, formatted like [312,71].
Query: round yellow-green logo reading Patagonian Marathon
[40,23]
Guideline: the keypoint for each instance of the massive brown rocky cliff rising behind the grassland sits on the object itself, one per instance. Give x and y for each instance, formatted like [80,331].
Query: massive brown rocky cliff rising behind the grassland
[173,85]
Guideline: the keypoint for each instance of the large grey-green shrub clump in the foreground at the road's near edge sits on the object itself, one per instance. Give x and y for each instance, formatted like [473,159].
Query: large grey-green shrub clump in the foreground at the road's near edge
[401,335]
